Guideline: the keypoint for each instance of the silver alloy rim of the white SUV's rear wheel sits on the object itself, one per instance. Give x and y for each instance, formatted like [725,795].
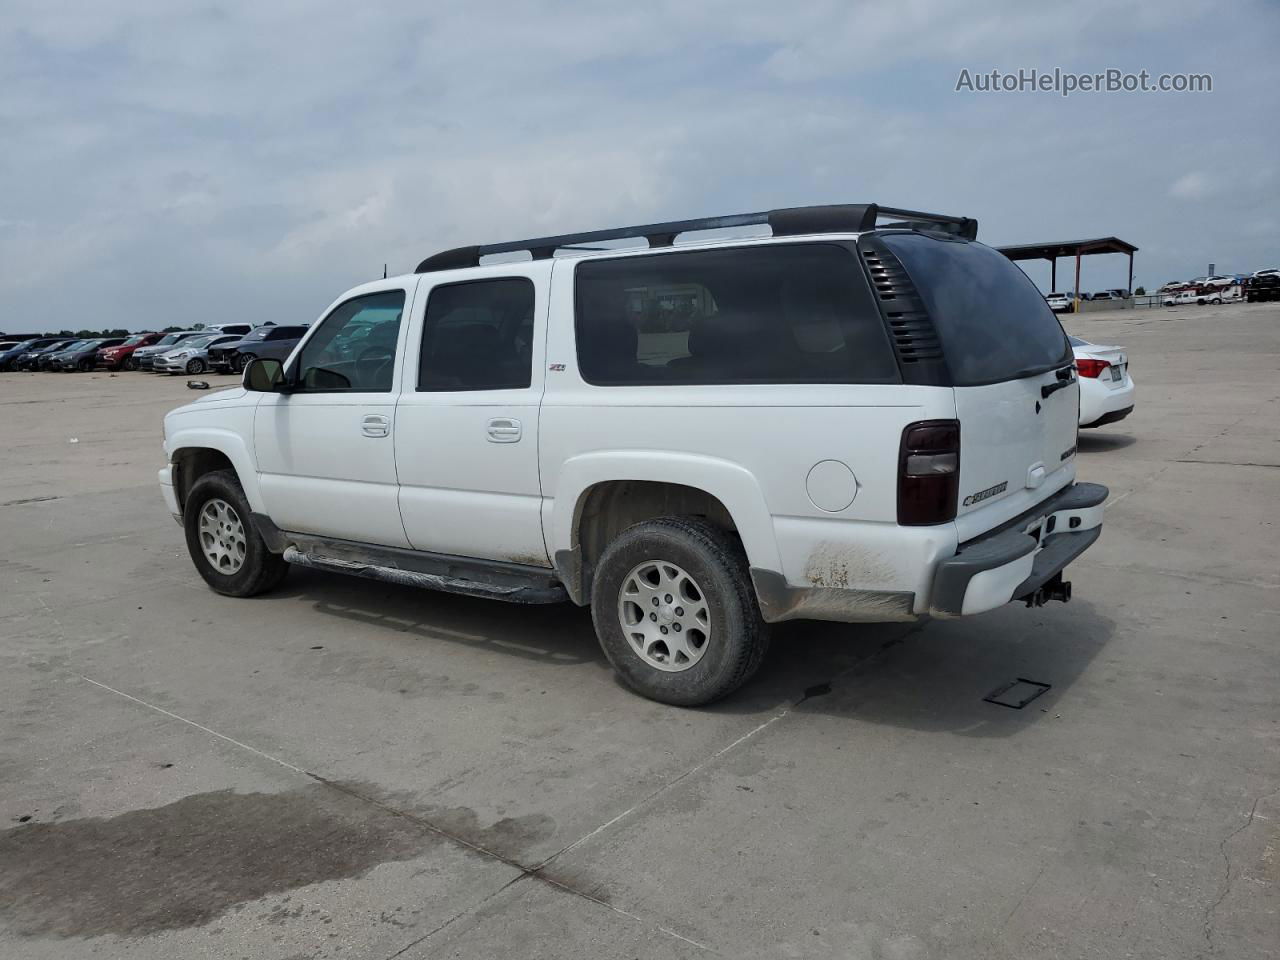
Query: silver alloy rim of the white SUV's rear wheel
[665,616]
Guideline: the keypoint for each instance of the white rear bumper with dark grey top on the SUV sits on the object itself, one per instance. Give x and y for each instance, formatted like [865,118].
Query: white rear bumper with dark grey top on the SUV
[1016,563]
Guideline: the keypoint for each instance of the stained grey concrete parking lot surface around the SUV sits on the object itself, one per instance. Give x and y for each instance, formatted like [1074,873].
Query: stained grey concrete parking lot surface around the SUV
[351,770]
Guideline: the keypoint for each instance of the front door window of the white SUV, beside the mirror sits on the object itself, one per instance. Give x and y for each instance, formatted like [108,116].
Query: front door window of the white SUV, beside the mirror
[355,348]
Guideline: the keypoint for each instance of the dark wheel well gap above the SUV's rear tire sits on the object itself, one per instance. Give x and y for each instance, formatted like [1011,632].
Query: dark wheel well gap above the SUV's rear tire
[609,509]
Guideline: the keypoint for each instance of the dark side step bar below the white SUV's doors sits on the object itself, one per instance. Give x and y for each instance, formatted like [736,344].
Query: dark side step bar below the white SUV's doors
[495,580]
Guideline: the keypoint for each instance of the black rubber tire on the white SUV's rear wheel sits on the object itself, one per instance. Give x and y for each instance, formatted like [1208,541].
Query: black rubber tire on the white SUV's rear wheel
[737,637]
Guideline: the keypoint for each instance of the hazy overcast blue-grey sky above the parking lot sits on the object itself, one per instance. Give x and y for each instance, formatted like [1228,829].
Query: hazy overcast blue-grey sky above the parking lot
[170,163]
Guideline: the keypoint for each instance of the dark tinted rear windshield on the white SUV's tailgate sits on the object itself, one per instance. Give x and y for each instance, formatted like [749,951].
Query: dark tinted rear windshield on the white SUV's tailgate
[993,321]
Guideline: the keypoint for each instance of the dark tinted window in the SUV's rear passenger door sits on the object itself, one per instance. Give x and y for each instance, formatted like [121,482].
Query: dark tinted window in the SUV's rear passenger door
[478,337]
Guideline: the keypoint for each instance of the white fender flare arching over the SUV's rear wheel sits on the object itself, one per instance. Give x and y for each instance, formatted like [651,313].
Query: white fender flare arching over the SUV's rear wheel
[733,484]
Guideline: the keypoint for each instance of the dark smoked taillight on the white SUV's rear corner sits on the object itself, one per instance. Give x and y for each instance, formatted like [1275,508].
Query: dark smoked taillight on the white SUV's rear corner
[929,473]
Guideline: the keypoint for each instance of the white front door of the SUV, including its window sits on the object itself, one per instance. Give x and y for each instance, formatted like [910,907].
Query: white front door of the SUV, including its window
[326,450]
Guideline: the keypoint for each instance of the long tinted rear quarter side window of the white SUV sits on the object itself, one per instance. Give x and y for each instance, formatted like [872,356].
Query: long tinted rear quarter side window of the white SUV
[769,314]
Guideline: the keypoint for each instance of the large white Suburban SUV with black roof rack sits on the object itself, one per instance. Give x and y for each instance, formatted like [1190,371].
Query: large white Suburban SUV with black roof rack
[843,420]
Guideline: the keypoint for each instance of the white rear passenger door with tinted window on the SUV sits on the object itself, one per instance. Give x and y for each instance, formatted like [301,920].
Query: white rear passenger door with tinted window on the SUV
[467,437]
